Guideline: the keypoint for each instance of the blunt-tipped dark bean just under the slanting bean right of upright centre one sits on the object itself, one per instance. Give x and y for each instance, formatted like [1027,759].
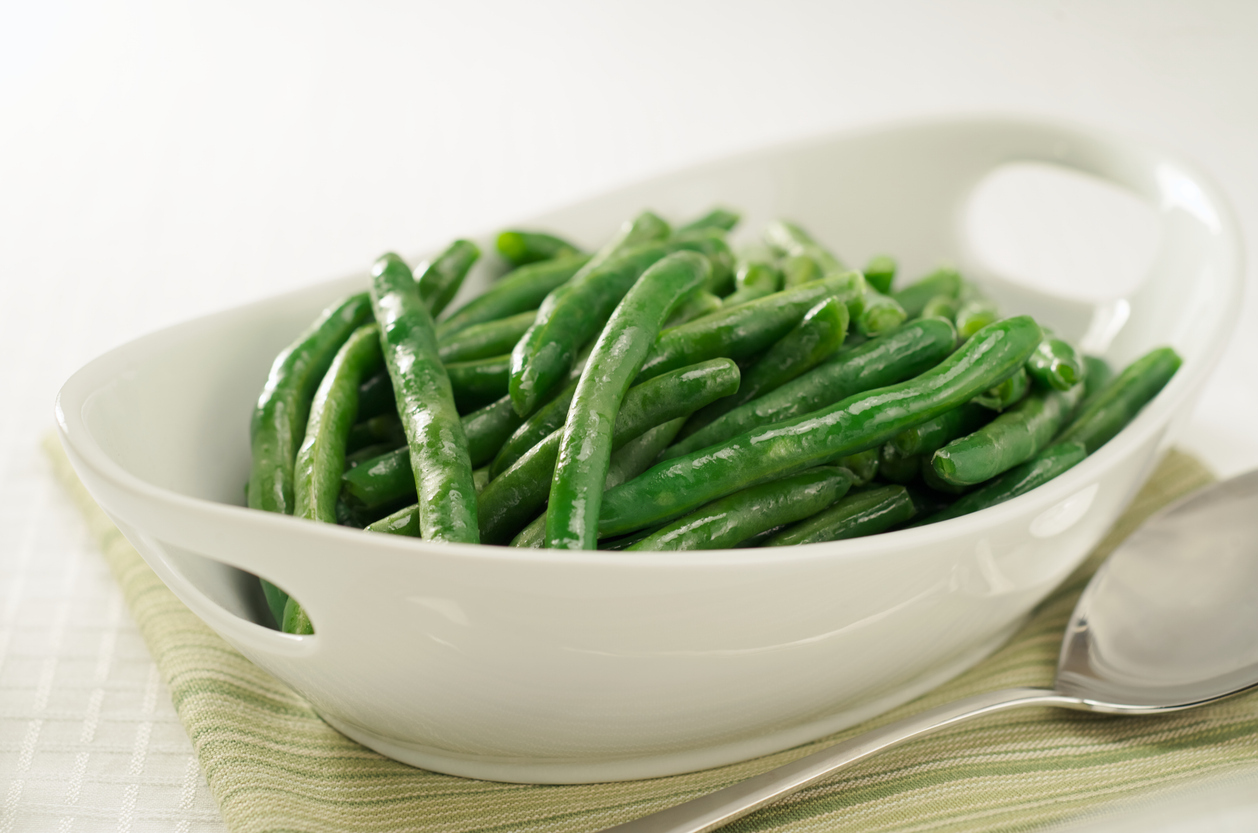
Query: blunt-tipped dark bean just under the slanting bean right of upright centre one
[816,338]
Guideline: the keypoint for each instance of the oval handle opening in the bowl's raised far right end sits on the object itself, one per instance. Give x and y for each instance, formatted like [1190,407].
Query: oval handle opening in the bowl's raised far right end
[1060,232]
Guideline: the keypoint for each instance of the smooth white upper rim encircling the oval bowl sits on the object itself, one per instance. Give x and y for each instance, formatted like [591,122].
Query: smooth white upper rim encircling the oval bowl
[85,451]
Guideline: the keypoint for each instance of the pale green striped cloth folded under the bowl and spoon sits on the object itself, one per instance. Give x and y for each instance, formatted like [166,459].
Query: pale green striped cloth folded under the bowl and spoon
[274,766]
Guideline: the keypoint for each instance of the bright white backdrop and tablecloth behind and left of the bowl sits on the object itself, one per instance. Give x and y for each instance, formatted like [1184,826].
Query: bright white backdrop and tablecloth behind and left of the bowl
[159,162]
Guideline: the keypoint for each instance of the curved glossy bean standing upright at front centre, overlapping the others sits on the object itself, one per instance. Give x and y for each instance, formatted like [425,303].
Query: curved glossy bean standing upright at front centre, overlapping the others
[586,446]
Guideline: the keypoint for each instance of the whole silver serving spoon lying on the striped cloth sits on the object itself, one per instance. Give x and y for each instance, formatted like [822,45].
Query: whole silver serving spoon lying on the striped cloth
[1169,622]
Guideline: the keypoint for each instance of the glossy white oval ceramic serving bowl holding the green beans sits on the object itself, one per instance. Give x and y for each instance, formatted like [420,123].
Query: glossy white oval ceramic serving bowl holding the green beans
[564,668]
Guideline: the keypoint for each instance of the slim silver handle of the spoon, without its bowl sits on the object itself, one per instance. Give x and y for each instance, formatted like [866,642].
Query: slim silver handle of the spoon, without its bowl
[716,810]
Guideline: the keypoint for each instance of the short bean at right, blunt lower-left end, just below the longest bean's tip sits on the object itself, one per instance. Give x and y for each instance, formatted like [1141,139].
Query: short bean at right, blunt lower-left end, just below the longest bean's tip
[1012,439]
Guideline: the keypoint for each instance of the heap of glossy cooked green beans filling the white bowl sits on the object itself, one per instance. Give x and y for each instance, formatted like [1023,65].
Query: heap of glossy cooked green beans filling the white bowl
[670,391]
